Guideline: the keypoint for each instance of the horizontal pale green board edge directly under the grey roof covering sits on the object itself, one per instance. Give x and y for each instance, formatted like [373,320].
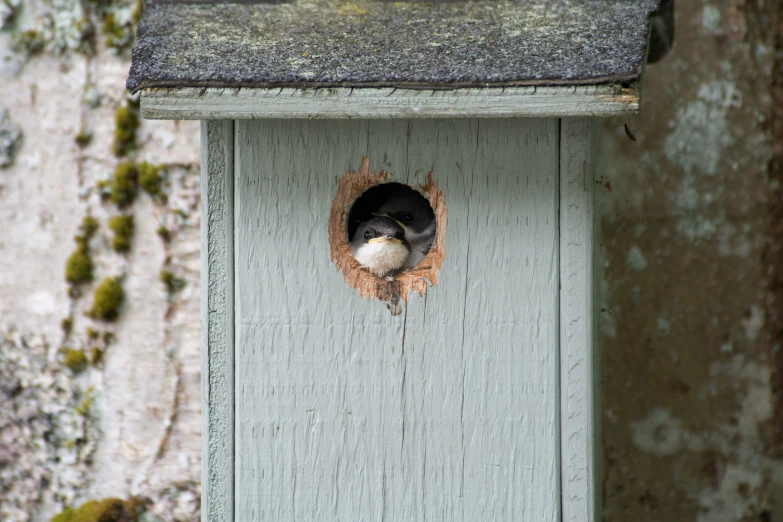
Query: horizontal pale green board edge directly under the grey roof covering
[191,103]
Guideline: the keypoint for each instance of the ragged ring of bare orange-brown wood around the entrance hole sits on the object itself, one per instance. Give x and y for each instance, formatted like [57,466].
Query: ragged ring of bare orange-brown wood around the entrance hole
[350,187]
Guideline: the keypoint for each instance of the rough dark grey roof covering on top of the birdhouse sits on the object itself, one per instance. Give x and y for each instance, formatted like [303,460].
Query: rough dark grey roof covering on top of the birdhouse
[380,43]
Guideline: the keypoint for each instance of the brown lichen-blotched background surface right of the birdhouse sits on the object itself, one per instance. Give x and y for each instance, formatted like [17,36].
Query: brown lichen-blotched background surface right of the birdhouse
[691,414]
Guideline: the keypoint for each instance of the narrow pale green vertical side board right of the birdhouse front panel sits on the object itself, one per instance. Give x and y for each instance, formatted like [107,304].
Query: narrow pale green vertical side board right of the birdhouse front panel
[580,415]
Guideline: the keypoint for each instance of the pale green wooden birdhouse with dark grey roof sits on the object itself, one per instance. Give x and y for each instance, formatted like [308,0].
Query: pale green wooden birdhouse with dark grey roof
[478,400]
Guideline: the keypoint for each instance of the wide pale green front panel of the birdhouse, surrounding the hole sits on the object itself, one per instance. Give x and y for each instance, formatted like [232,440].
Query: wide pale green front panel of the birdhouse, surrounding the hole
[447,412]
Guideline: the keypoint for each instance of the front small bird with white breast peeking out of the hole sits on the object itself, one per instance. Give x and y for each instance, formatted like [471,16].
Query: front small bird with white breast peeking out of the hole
[379,245]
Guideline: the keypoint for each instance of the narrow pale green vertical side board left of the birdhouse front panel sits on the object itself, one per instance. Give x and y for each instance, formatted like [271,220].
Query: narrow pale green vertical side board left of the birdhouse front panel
[217,320]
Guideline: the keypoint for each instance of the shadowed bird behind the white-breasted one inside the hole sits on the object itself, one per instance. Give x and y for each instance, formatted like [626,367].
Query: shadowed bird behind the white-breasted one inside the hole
[414,214]
